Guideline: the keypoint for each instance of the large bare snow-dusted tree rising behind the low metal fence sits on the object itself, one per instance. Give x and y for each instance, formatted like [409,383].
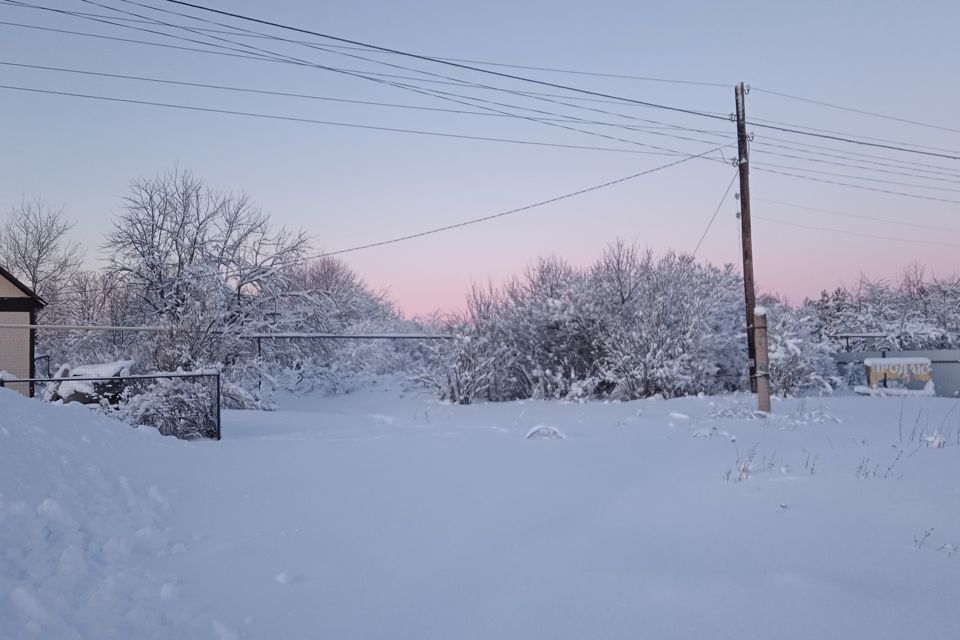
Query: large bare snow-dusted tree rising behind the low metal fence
[203,262]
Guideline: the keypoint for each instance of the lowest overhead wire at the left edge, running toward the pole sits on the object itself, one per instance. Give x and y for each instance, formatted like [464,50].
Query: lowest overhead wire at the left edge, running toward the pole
[250,114]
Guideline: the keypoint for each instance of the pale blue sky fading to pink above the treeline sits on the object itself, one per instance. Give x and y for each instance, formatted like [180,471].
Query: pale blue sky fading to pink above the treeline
[350,186]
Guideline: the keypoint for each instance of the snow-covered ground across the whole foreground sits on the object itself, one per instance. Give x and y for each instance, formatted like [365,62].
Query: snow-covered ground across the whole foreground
[385,514]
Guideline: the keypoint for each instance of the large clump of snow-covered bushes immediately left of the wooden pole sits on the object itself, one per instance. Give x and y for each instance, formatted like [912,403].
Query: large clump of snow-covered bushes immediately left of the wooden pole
[629,327]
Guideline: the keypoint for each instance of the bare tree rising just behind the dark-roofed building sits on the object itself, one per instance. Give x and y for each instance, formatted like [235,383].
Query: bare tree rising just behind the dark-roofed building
[35,247]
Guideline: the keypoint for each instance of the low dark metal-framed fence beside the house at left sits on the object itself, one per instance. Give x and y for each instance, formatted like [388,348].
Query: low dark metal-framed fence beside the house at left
[183,405]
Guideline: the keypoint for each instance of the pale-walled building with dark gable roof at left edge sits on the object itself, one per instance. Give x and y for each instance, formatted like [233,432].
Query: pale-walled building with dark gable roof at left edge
[18,305]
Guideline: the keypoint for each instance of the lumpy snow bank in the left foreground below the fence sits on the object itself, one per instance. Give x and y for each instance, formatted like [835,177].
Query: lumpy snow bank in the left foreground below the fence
[81,530]
